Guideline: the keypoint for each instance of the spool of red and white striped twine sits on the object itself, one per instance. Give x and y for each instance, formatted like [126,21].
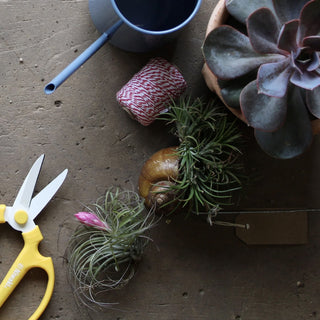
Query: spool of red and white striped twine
[150,90]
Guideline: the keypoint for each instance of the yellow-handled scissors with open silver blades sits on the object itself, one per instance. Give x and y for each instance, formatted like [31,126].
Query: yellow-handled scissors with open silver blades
[21,218]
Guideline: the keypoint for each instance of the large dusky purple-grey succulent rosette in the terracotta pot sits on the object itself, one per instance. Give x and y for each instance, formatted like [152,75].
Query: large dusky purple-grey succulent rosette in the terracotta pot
[269,66]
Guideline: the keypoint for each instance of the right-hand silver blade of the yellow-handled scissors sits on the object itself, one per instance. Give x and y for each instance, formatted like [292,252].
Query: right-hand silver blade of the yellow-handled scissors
[46,194]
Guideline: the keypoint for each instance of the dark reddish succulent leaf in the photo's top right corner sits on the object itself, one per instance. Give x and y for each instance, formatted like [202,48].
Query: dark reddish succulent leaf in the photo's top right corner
[309,20]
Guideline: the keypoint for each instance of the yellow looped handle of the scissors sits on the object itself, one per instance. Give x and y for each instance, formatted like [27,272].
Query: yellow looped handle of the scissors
[29,258]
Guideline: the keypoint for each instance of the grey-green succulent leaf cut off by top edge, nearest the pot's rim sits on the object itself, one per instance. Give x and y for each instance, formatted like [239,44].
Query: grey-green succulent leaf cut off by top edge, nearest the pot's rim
[241,11]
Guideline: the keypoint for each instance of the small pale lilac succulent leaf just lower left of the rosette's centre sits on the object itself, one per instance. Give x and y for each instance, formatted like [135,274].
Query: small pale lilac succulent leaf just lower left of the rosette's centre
[273,78]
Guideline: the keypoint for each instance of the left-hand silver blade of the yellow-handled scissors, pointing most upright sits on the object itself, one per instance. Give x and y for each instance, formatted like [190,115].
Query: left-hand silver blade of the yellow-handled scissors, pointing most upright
[25,193]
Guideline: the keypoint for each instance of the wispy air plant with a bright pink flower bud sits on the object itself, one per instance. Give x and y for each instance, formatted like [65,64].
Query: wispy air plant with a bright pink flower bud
[104,250]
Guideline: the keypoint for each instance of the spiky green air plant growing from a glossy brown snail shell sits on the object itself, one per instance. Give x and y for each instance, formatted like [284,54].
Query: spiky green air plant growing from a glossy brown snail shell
[201,173]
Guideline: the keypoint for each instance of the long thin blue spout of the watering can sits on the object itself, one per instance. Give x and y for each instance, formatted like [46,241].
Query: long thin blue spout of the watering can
[80,60]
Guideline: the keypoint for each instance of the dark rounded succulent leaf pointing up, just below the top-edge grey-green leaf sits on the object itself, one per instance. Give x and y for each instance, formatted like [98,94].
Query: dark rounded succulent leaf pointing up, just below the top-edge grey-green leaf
[263,30]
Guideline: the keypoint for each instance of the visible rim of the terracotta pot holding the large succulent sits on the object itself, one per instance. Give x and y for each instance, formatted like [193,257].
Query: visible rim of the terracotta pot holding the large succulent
[217,18]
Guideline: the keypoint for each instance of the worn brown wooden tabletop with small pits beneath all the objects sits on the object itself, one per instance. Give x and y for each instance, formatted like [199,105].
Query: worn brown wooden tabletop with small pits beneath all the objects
[192,271]
